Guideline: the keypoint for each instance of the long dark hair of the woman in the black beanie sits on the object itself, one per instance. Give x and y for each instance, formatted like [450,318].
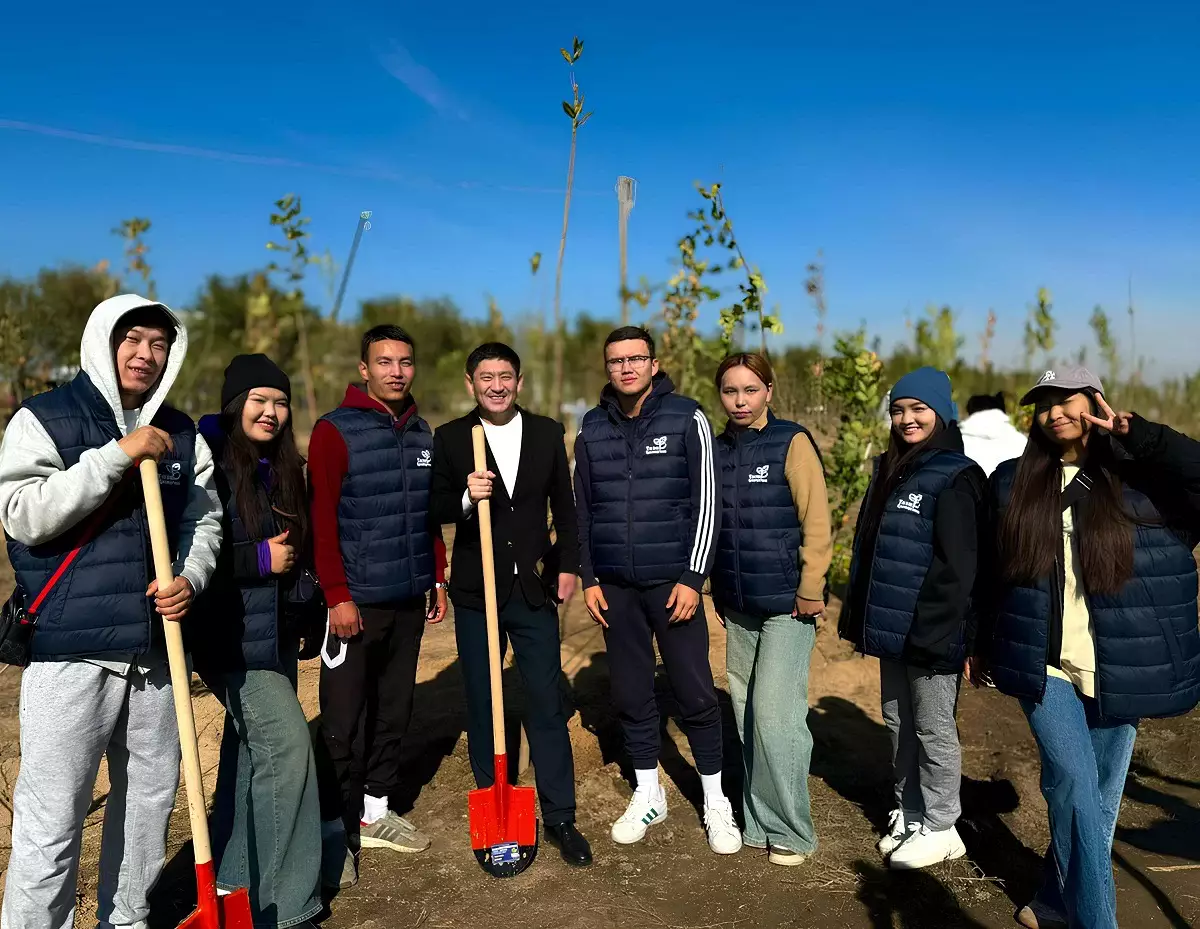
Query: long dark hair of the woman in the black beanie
[287,499]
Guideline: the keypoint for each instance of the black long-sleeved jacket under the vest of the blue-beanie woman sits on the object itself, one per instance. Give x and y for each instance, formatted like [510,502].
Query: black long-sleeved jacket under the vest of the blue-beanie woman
[943,626]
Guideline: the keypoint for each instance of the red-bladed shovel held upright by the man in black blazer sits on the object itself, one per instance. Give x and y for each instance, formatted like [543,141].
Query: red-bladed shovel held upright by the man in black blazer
[503,819]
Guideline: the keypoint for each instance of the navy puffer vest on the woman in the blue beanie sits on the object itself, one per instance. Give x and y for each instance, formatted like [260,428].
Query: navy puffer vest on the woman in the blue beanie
[903,556]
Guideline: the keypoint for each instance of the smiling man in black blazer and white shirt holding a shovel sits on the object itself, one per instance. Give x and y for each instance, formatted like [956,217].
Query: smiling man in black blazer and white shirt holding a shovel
[526,469]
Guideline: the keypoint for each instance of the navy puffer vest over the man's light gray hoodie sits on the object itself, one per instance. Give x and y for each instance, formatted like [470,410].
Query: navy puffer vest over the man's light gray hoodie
[99,608]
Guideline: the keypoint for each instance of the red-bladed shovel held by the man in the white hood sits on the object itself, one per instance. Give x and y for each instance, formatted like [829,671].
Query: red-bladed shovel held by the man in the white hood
[231,912]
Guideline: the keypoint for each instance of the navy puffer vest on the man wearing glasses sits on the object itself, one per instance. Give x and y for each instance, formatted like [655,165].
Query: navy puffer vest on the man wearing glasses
[641,492]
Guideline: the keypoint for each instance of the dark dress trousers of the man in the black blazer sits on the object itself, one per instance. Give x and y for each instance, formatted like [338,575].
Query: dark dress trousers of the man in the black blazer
[535,636]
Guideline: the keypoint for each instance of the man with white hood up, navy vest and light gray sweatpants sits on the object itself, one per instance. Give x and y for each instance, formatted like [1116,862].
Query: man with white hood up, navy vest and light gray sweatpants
[99,685]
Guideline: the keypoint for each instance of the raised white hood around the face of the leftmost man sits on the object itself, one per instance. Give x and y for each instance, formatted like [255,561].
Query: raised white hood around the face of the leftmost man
[97,357]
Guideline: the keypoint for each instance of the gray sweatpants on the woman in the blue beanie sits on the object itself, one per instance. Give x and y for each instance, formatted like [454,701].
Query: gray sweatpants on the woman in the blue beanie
[919,710]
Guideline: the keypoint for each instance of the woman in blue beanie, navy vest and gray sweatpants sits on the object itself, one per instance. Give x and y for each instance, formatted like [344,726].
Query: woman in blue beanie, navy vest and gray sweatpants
[909,604]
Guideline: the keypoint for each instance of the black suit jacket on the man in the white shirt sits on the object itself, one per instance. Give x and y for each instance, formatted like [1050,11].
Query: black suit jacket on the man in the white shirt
[520,529]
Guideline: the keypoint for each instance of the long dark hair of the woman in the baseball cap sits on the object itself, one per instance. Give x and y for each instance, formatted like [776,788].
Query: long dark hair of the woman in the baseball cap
[1030,532]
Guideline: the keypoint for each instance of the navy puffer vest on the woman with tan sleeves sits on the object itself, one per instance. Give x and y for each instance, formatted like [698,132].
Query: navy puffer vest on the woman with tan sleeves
[758,549]
